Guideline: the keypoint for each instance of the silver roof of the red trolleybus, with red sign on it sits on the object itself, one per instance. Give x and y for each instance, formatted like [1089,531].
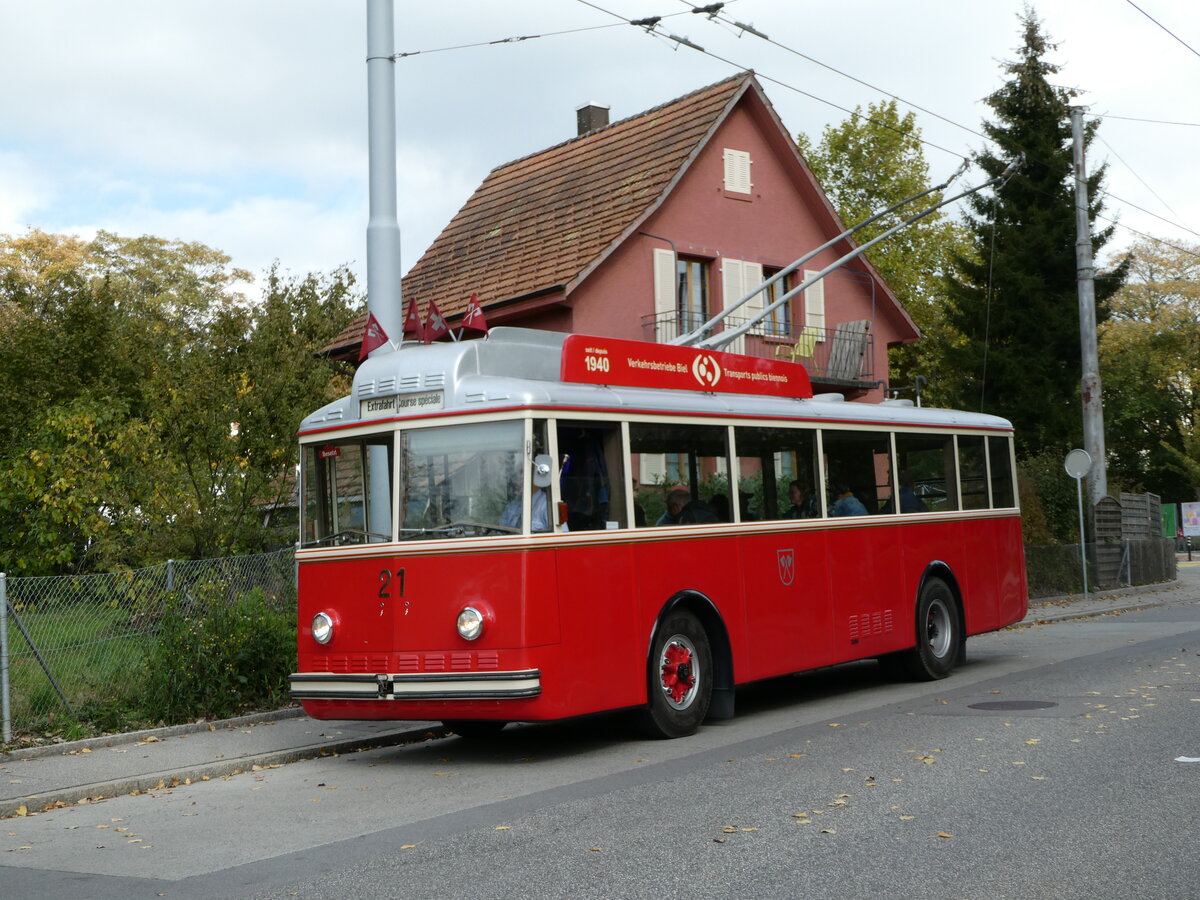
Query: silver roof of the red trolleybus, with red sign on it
[515,368]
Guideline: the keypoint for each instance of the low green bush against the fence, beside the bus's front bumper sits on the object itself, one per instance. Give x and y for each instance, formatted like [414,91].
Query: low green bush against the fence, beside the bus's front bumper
[227,659]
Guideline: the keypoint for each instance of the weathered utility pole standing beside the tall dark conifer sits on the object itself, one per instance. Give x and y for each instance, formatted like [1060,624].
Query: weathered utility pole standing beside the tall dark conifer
[1090,386]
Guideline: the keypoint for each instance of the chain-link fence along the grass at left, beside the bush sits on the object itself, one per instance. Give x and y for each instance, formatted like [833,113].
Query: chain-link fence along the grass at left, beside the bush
[69,644]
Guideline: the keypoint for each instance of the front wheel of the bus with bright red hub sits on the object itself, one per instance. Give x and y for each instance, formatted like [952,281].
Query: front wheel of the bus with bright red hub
[680,677]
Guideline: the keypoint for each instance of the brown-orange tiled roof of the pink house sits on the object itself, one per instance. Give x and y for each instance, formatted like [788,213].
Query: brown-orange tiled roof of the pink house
[536,224]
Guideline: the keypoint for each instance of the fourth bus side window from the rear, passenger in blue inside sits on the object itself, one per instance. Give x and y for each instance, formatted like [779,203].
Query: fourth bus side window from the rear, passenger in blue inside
[860,472]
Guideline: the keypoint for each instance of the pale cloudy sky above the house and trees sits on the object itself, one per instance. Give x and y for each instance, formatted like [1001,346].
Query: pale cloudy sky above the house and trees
[243,123]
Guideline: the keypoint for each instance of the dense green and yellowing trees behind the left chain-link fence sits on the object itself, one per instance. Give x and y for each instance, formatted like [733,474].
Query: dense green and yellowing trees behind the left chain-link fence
[151,407]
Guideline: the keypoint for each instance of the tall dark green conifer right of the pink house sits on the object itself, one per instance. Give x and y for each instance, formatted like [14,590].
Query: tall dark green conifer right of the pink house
[1015,298]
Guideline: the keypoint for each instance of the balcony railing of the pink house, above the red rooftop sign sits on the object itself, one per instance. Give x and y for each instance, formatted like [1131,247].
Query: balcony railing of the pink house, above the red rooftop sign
[842,356]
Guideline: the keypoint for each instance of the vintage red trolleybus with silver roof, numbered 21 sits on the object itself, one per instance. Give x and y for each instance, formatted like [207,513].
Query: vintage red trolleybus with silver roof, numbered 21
[538,526]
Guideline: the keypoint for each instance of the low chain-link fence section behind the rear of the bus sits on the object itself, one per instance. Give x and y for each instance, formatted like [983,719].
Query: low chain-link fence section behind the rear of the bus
[1059,571]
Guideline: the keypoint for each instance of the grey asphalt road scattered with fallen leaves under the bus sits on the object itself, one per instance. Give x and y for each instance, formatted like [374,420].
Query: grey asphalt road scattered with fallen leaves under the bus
[1046,767]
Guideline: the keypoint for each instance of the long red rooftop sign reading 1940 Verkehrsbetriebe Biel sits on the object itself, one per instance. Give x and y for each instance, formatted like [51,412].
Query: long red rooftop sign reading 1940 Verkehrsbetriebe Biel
[638,364]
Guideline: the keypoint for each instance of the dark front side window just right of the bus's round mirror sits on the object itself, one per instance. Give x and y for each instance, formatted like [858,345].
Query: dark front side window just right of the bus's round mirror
[592,476]
